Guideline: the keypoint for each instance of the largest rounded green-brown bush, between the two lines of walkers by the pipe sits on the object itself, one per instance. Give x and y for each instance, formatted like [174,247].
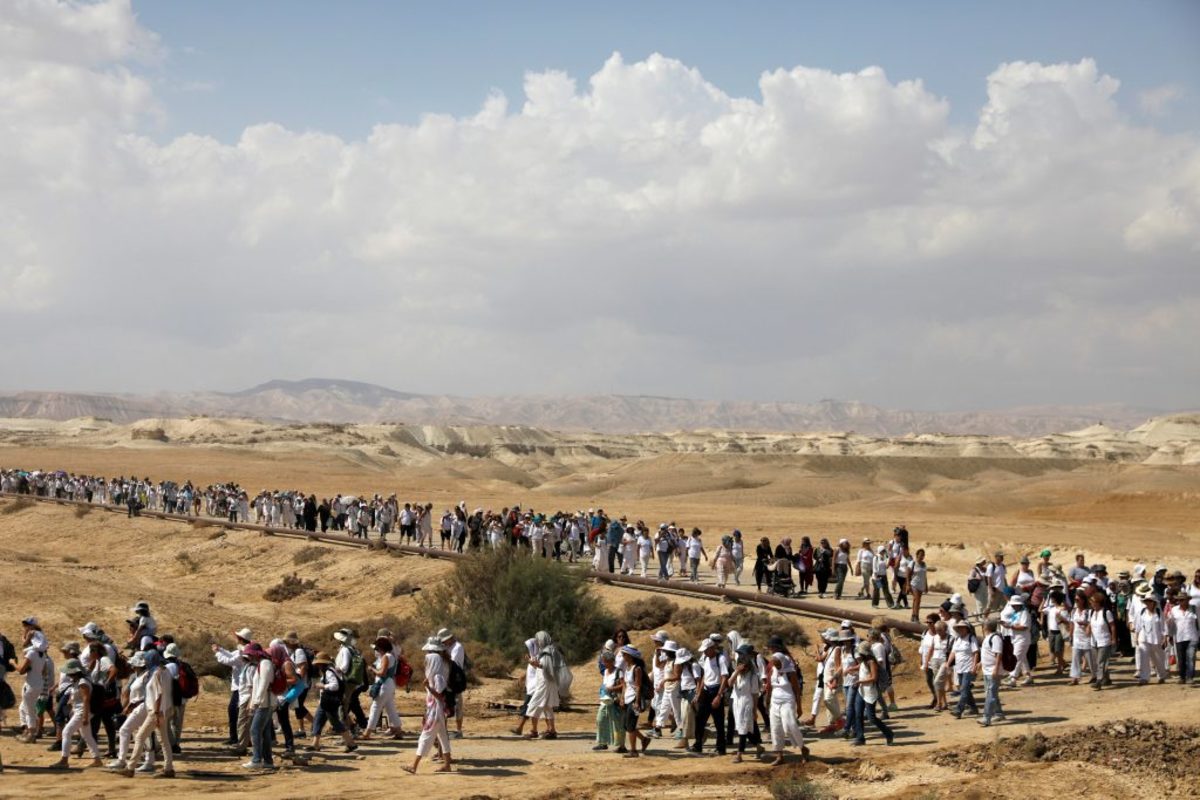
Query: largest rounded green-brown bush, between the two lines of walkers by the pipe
[505,598]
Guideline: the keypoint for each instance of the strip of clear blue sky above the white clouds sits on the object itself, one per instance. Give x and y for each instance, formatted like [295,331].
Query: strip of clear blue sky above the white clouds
[343,68]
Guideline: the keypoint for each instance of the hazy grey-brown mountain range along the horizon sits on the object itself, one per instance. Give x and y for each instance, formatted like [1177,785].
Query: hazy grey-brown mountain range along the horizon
[319,400]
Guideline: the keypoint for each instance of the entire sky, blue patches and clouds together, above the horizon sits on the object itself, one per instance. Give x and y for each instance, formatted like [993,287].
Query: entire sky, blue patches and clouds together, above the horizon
[933,206]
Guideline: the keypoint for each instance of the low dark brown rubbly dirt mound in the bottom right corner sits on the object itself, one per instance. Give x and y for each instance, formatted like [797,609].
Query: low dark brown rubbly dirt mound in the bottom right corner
[1154,750]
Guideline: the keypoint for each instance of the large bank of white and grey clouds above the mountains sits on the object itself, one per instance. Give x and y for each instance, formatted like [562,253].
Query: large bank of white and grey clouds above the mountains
[639,231]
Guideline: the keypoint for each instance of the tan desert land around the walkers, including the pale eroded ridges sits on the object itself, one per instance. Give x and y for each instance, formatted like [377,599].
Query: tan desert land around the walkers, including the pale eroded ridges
[1119,496]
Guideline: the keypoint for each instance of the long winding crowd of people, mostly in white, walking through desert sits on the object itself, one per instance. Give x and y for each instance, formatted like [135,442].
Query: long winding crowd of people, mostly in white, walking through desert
[137,690]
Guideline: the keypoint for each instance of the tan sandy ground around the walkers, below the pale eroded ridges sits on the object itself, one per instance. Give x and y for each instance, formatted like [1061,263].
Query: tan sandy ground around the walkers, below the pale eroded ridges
[69,570]
